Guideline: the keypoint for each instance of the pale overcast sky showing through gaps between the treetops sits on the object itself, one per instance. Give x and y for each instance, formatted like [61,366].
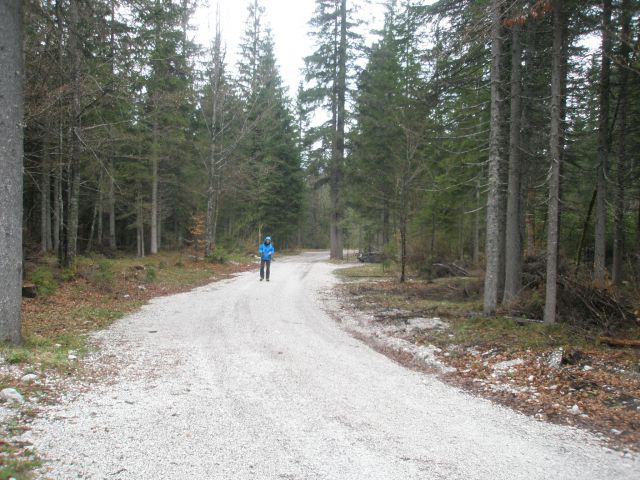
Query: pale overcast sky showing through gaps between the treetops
[288,20]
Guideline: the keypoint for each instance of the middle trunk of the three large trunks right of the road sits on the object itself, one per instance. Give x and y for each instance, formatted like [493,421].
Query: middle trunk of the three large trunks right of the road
[513,265]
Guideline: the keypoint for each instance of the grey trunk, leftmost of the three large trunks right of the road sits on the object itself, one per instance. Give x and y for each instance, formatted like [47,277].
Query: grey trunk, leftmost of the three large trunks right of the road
[494,213]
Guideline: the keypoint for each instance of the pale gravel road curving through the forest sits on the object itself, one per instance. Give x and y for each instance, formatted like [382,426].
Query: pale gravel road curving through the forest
[245,379]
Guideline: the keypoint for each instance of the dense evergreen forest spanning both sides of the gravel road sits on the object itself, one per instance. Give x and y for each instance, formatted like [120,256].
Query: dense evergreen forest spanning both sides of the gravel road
[492,134]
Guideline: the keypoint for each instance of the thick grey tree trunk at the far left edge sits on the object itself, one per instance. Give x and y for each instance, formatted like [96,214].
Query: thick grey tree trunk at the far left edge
[11,149]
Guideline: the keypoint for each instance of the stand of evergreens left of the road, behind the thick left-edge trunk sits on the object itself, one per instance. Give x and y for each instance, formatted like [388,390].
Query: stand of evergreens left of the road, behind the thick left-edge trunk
[133,131]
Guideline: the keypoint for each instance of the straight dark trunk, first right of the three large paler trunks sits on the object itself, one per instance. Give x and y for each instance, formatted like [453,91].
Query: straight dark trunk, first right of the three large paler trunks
[599,260]
